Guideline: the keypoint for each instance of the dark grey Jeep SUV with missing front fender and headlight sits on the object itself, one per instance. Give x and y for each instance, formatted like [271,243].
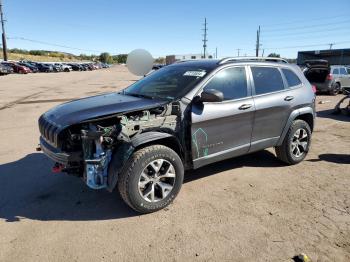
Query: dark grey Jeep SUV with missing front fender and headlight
[181,117]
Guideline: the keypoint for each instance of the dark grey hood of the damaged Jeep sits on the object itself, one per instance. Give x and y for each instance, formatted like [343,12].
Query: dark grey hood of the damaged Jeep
[84,109]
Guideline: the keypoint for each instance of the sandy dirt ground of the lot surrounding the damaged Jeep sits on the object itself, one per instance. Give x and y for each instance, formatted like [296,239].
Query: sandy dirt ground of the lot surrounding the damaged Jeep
[251,208]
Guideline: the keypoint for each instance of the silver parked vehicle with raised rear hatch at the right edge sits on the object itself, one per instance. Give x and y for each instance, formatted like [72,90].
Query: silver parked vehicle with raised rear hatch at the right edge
[326,78]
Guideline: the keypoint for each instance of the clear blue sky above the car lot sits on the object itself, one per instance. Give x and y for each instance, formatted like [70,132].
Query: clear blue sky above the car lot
[175,27]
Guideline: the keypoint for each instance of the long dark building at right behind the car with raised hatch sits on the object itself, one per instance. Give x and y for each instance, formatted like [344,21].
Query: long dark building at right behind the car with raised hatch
[333,56]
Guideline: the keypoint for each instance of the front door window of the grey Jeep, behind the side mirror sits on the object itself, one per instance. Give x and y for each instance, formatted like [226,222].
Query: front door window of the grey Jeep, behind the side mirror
[232,82]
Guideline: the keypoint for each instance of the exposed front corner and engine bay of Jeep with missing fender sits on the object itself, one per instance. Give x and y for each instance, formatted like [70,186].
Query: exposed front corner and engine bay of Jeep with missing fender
[99,140]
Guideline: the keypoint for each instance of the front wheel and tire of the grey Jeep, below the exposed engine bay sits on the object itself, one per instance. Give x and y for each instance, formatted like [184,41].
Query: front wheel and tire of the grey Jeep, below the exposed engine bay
[151,178]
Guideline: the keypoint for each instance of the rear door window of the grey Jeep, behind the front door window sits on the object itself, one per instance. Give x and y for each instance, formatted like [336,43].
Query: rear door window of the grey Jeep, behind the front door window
[267,80]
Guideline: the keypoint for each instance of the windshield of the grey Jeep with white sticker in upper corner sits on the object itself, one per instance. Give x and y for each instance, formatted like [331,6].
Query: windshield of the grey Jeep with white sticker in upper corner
[169,82]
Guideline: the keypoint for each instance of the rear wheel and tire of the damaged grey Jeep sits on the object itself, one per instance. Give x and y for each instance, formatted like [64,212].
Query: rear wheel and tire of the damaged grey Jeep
[296,143]
